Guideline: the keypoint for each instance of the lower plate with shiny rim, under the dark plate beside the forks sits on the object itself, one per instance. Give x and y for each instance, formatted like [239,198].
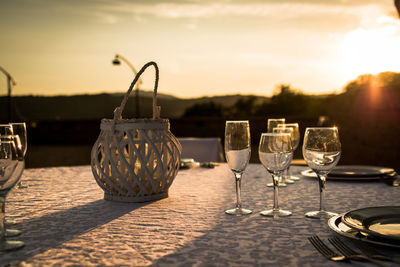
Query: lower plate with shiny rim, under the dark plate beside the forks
[336,224]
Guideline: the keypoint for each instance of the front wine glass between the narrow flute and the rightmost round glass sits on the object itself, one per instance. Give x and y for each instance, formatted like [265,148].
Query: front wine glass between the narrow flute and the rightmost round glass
[275,152]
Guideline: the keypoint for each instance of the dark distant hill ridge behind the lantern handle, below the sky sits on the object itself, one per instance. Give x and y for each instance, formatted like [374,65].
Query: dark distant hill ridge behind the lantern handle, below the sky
[98,106]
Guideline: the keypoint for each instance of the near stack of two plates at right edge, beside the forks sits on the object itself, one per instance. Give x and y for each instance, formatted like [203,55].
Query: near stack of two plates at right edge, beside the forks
[378,225]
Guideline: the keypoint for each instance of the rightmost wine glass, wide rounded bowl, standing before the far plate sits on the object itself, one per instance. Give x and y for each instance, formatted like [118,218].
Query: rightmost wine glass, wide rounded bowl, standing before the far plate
[321,151]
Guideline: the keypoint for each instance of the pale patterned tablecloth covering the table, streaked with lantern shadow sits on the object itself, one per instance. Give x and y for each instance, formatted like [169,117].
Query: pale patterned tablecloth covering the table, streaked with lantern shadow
[65,221]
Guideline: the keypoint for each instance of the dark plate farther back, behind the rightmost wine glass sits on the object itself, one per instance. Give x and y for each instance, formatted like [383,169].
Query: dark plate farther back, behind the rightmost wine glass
[354,172]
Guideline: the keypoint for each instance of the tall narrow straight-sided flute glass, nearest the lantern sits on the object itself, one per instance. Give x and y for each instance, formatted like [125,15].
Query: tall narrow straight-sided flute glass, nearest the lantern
[237,153]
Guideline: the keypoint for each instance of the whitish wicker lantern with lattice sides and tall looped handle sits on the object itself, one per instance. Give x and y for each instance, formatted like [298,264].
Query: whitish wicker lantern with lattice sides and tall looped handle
[135,160]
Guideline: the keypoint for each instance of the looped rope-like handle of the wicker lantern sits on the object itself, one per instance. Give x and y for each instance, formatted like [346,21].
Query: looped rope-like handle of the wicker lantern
[156,109]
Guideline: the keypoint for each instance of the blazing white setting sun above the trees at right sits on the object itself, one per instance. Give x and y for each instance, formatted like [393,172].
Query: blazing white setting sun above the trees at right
[369,51]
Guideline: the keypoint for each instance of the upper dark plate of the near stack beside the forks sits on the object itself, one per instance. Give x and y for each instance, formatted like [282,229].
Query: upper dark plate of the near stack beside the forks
[382,222]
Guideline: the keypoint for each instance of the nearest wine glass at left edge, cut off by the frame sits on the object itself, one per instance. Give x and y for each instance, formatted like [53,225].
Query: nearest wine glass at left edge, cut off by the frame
[10,170]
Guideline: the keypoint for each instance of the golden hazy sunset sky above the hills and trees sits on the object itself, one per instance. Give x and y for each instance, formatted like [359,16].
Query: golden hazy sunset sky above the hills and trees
[202,47]
